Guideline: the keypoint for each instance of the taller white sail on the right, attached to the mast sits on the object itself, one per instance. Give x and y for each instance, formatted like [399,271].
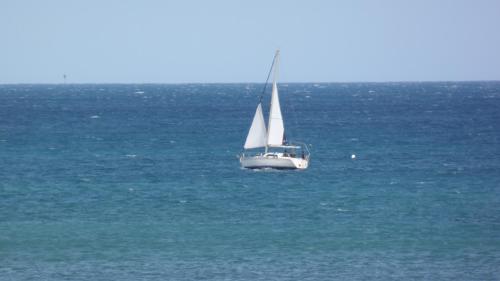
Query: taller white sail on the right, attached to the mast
[276,127]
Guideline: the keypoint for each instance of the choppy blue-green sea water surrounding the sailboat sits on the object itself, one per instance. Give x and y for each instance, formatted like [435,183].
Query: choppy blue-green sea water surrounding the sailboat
[141,182]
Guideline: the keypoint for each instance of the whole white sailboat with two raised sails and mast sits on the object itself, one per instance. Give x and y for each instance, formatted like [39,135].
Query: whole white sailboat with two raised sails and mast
[278,153]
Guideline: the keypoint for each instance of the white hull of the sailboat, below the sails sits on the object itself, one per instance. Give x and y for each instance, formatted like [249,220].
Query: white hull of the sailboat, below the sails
[273,161]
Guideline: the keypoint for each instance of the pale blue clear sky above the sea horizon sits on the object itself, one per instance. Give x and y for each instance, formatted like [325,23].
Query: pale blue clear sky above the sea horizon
[148,41]
